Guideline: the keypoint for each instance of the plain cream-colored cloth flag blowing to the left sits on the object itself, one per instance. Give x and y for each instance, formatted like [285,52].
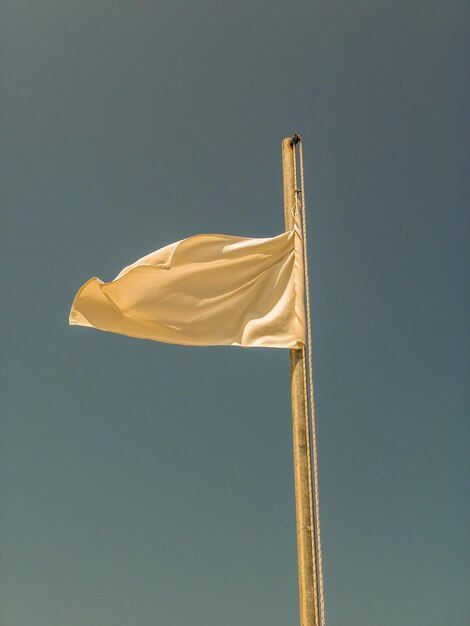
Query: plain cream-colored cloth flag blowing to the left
[205,290]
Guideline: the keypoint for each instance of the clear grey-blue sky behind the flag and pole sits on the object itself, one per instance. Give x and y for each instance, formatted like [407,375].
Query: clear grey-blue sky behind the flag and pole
[146,484]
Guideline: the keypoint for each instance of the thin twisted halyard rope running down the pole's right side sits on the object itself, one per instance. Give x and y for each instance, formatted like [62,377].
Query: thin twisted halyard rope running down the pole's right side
[310,375]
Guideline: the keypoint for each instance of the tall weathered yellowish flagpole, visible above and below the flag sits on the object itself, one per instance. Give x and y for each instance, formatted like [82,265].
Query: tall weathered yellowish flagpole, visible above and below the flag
[306,549]
